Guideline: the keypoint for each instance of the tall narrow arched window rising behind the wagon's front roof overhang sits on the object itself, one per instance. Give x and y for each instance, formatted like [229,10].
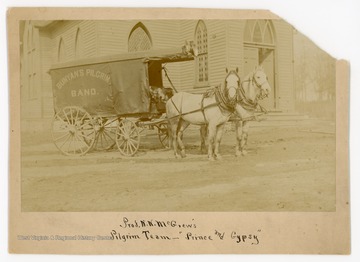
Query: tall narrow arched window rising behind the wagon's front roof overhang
[201,39]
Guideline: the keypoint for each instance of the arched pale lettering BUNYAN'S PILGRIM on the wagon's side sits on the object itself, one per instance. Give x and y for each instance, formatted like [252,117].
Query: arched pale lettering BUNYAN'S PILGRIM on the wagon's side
[83,73]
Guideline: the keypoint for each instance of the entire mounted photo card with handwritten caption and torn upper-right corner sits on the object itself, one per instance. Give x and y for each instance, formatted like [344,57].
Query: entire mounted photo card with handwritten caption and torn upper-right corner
[175,131]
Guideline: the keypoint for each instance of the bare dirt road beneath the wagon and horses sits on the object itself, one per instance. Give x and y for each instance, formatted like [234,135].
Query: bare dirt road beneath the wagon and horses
[288,168]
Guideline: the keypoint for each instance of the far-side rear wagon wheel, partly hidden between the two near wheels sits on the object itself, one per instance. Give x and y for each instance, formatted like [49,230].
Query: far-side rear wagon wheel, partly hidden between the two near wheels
[105,133]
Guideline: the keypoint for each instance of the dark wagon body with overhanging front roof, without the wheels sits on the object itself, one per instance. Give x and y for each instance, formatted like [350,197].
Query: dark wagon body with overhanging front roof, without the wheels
[112,85]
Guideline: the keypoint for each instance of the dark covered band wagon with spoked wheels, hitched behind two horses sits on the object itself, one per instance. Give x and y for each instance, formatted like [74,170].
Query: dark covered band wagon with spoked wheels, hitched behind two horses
[107,101]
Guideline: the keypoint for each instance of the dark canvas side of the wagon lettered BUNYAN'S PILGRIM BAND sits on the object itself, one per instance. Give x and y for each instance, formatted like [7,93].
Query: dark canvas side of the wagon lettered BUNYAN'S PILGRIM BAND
[118,87]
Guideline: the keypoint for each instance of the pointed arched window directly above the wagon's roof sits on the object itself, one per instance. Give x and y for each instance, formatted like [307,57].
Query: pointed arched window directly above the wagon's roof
[139,39]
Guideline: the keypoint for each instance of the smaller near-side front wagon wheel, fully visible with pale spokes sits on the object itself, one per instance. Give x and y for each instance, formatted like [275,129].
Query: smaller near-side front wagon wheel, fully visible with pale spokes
[127,137]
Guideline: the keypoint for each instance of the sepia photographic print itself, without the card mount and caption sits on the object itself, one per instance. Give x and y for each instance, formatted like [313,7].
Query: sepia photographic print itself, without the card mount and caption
[175,115]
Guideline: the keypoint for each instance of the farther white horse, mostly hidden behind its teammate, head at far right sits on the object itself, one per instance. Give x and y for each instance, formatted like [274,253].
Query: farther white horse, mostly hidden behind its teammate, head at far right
[254,88]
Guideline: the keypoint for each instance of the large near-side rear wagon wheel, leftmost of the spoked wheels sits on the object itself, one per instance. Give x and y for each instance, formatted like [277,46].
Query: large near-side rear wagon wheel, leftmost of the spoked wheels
[73,131]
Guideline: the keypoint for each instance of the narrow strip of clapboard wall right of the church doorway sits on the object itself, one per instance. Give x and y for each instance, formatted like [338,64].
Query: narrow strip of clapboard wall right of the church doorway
[284,65]
